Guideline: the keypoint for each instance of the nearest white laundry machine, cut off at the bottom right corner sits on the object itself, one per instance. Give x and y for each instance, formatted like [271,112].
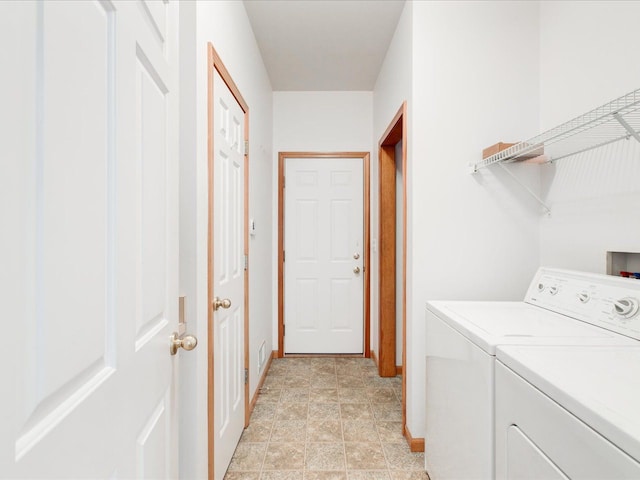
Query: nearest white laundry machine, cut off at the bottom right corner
[568,412]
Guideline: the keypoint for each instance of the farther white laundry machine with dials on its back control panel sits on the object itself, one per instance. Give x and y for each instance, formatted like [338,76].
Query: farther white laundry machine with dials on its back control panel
[461,339]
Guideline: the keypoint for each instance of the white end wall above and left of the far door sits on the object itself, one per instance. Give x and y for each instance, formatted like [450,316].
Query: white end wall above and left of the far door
[317,122]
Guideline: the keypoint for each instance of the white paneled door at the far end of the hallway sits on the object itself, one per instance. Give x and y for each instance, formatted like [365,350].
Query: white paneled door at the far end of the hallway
[323,244]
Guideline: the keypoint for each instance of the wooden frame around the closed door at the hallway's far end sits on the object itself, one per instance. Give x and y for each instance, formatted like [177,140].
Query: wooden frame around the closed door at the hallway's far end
[282,156]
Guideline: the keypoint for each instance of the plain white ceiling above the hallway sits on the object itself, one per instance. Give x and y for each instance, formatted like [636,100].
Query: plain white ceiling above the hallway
[323,44]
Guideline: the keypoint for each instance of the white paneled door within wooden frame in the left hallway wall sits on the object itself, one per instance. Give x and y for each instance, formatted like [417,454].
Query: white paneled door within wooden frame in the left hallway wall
[228,273]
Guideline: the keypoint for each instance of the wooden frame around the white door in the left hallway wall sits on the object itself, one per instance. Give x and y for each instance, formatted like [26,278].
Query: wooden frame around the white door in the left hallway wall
[214,64]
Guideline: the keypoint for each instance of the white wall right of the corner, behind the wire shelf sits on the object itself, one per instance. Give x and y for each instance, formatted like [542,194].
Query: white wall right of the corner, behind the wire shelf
[587,60]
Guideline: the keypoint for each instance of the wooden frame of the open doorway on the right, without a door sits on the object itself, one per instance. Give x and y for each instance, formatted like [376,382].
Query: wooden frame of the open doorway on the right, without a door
[395,132]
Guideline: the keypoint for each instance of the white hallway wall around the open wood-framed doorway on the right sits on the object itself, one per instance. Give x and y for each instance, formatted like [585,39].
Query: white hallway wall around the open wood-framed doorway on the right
[393,86]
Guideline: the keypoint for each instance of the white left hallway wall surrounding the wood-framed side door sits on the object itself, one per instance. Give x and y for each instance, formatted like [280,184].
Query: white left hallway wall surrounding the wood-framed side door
[225,24]
